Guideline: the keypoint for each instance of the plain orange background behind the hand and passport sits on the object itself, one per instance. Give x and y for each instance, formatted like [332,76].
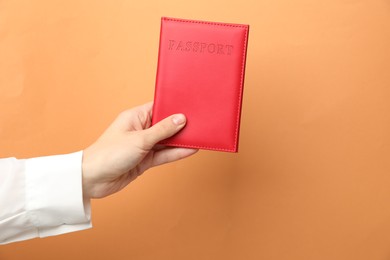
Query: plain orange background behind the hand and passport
[312,178]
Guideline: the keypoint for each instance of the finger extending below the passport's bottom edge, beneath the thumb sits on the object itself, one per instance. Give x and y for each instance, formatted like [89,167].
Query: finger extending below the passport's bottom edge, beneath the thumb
[171,154]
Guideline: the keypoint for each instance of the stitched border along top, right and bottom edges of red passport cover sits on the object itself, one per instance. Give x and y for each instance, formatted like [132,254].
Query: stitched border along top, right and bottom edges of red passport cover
[241,80]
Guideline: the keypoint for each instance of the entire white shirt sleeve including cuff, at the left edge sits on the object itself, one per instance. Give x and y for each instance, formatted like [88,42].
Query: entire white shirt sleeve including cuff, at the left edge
[42,197]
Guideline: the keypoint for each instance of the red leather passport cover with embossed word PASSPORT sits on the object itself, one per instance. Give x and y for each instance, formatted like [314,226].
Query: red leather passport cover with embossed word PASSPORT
[200,73]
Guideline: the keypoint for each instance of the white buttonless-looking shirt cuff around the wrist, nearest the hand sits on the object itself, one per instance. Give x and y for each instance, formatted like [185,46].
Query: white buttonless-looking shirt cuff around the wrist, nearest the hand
[54,197]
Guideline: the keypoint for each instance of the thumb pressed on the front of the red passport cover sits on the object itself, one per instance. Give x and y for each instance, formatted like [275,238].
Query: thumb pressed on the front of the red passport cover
[164,129]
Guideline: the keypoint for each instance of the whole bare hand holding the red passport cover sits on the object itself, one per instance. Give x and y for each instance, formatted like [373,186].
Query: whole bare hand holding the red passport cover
[128,148]
